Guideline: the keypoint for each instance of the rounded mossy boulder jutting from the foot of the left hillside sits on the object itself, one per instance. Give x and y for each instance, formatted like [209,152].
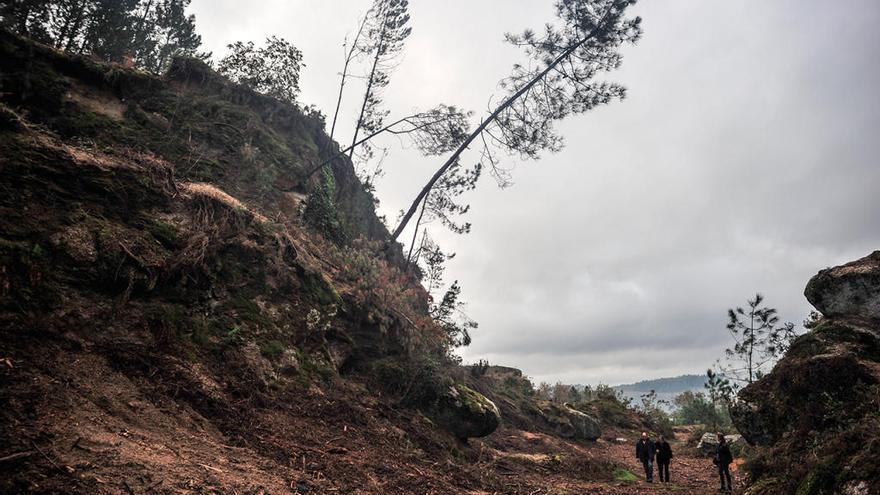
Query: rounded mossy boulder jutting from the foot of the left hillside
[466,413]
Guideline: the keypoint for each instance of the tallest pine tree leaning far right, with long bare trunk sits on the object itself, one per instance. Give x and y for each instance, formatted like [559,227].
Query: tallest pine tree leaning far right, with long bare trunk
[557,81]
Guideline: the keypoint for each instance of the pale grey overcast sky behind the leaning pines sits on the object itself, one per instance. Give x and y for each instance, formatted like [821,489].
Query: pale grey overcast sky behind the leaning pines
[744,159]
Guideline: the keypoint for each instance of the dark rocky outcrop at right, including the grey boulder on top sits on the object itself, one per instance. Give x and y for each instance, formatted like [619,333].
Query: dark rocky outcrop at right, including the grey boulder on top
[823,396]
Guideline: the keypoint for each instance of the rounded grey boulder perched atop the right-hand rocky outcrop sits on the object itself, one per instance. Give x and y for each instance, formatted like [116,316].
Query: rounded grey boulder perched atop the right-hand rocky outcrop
[850,290]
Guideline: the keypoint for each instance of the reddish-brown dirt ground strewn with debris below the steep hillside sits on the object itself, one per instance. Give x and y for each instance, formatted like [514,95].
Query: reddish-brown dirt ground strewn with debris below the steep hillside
[80,421]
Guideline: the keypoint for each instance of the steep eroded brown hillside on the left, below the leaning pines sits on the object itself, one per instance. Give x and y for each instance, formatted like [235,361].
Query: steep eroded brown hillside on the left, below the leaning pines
[173,320]
